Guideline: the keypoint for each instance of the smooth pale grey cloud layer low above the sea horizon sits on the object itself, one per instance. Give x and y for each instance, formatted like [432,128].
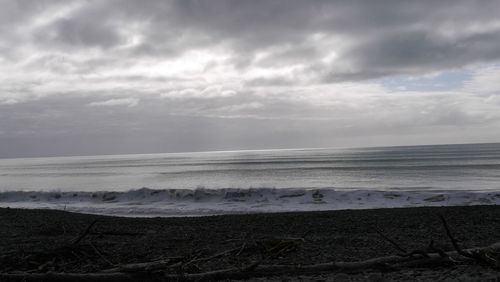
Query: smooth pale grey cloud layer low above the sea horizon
[245,120]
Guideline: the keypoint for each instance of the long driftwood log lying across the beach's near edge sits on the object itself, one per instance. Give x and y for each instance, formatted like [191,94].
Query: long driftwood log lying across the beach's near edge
[141,273]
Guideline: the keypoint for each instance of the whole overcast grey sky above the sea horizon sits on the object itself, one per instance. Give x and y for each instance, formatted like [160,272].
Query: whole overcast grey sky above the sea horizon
[125,76]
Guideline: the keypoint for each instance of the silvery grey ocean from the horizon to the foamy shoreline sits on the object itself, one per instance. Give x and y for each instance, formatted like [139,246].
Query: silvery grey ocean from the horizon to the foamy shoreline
[181,184]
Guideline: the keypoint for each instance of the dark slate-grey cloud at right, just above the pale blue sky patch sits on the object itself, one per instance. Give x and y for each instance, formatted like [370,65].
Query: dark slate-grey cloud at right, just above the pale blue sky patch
[416,52]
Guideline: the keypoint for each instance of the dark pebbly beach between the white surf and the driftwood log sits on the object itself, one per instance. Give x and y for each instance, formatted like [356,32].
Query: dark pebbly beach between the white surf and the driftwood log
[28,236]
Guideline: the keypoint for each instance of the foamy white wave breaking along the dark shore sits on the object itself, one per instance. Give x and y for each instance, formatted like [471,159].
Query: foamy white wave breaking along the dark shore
[201,201]
